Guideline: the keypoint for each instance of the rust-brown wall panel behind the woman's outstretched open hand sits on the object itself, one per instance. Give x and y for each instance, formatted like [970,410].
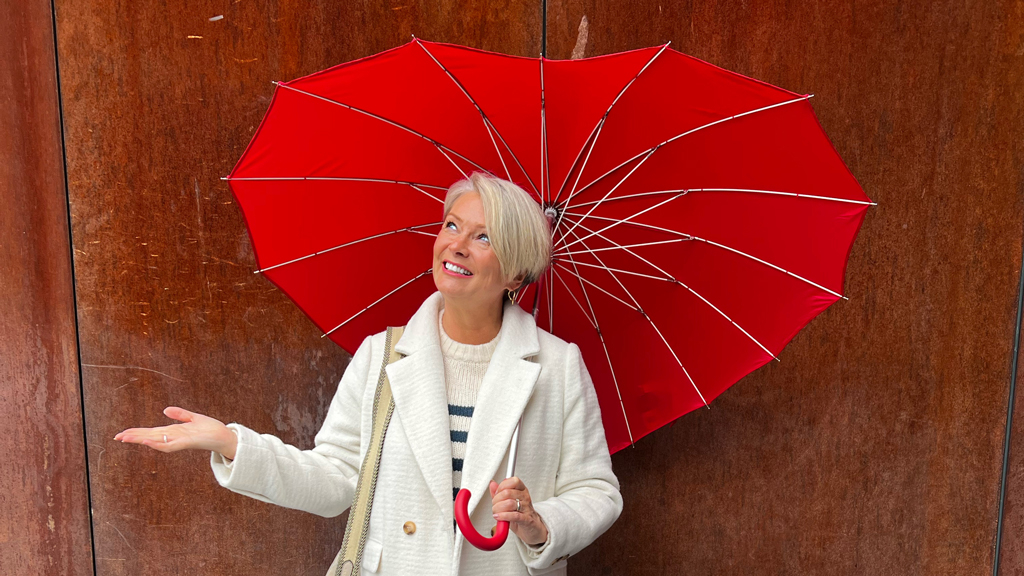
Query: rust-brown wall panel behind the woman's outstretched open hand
[160,102]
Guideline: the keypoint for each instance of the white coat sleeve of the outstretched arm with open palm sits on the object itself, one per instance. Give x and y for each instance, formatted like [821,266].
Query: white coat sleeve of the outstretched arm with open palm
[321,481]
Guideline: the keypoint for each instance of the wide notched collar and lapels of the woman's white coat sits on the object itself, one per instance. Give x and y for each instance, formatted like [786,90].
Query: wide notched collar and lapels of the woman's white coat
[421,400]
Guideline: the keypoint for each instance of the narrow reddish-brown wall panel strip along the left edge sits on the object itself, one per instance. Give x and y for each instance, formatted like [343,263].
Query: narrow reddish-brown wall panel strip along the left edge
[45,523]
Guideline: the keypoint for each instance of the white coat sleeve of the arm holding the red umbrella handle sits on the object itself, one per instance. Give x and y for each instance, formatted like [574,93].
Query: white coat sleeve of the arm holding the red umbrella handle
[587,501]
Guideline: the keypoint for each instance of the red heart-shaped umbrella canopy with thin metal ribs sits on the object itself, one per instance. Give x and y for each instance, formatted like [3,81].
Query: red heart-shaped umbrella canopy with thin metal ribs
[701,218]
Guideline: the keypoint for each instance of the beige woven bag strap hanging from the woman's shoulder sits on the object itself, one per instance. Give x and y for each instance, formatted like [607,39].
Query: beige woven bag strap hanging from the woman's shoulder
[350,559]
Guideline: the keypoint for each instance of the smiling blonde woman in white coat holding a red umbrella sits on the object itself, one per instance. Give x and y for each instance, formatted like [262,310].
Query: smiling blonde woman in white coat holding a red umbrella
[474,363]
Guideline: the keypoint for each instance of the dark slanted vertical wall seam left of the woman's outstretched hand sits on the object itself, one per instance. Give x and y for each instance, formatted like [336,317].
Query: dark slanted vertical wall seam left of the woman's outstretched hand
[74,287]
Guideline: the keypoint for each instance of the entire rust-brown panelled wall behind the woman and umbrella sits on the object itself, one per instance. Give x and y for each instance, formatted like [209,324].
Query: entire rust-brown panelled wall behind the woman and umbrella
[875,447]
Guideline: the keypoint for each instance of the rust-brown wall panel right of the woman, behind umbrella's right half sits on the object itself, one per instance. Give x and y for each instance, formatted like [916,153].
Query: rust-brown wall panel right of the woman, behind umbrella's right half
[875,447]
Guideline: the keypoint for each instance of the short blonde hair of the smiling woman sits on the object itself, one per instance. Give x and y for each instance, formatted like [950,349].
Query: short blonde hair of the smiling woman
[518,228]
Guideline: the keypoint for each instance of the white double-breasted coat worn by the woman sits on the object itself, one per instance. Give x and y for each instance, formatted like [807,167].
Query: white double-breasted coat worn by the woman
[563,460]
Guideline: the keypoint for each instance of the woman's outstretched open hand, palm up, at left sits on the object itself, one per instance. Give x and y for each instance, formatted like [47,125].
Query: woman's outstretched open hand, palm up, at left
[197,433]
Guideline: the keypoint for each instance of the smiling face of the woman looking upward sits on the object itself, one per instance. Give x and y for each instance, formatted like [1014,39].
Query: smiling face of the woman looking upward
[465,268]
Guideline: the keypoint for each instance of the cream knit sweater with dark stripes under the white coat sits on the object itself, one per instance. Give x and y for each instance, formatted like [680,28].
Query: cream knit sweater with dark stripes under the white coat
[464,369]
